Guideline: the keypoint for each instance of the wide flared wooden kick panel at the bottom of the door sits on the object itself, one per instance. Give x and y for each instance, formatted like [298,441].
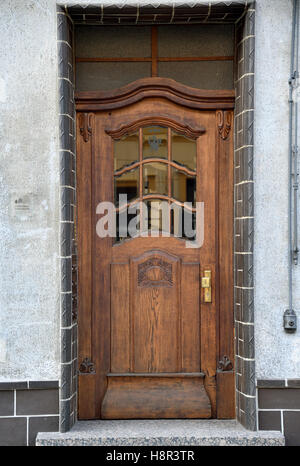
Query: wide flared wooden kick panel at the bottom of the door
[155,396]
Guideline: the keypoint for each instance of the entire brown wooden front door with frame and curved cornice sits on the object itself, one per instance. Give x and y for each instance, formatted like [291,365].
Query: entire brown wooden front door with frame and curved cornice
[153,342]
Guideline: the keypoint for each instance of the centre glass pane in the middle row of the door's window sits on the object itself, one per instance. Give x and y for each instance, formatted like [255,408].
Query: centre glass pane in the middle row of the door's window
[155,178]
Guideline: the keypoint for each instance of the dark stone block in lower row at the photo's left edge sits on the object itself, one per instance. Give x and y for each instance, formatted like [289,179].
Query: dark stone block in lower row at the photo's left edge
[13,431]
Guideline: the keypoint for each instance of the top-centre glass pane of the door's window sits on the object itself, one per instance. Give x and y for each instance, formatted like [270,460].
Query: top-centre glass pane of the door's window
[155,142]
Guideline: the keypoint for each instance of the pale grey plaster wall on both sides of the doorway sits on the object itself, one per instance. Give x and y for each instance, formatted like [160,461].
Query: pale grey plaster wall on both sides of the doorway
[29,166]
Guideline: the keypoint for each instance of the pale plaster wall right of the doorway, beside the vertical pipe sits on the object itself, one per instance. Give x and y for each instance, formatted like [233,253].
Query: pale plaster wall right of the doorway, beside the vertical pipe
[277,353]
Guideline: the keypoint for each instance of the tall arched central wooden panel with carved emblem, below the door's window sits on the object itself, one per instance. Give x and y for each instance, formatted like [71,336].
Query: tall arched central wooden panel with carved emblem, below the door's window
[155,312]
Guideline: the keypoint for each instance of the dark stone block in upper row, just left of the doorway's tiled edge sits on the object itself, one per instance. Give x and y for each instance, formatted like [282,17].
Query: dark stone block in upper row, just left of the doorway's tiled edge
[37,402]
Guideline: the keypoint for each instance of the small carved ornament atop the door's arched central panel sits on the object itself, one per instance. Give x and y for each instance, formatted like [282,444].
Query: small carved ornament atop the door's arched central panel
[155,272]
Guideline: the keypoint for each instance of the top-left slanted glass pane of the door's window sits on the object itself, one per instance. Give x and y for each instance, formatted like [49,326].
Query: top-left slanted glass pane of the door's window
[126,151]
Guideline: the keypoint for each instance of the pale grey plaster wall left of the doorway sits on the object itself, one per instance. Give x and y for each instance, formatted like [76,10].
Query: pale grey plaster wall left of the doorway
[29,174]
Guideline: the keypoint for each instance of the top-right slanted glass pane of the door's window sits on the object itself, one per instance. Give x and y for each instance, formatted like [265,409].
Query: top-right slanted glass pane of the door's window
[184,150]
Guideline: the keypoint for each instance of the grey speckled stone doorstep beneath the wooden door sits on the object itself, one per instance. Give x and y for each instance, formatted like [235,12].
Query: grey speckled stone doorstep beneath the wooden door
[160,433]
